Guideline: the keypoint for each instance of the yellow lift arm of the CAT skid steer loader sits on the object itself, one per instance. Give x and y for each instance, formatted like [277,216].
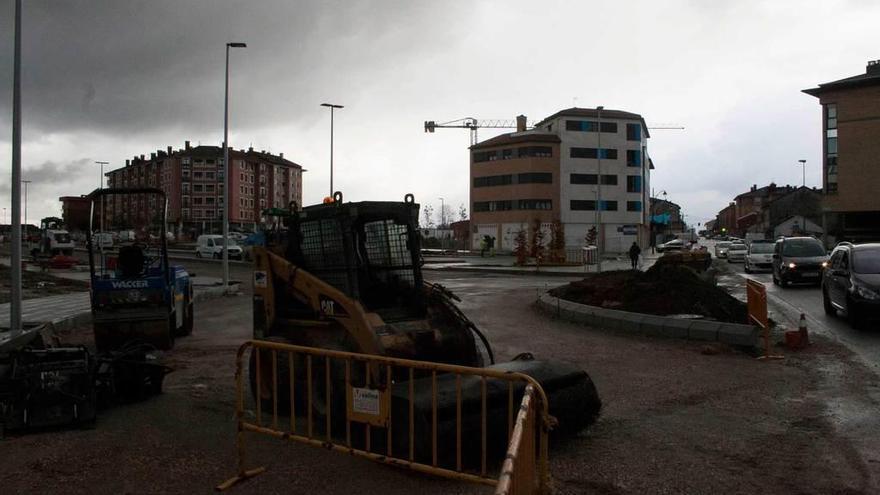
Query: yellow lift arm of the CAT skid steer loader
[325,300]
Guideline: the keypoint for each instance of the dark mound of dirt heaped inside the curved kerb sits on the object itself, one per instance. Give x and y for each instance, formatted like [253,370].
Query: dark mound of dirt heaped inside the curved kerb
[662,290]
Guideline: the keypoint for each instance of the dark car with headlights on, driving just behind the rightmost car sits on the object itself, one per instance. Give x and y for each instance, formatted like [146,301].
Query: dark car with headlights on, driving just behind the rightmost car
[798,259]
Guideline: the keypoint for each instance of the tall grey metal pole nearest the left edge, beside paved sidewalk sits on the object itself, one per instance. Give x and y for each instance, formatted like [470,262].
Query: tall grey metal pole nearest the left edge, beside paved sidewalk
[15,255]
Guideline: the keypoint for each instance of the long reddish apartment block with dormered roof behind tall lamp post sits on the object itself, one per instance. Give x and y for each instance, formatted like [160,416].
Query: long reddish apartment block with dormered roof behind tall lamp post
[193,179]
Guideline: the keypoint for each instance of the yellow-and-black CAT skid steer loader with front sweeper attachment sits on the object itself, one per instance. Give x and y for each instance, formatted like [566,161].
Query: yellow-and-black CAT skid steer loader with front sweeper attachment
[347,276]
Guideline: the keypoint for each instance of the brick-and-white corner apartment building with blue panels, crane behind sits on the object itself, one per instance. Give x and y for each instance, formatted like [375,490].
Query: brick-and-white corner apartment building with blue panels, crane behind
[582,167]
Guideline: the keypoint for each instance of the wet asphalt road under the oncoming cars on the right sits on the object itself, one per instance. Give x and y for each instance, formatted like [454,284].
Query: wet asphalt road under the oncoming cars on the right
[787,304]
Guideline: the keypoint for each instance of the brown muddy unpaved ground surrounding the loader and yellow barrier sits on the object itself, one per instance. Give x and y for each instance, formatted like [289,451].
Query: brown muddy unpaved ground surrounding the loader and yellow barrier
[676,418]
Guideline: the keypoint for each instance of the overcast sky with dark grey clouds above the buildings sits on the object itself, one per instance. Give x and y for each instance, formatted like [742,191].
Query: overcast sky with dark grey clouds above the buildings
[106,80]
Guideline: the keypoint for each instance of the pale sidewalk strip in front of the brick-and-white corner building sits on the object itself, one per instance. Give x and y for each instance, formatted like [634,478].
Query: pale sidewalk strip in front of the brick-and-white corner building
[506,264]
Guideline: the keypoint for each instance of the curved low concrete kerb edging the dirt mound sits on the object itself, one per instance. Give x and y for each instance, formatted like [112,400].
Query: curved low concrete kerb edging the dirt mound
[651,325]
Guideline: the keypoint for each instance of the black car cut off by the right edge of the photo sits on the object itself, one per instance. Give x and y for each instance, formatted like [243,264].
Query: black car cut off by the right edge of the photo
[852,283]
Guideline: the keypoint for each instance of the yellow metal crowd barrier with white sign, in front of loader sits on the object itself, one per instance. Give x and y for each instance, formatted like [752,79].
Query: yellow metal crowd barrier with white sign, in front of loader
[381,394]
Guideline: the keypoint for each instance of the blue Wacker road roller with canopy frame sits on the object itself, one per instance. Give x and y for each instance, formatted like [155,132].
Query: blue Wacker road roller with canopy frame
[136,295]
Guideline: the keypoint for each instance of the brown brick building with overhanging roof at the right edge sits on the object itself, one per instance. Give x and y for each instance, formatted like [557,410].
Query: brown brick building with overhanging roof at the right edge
[850,147]
